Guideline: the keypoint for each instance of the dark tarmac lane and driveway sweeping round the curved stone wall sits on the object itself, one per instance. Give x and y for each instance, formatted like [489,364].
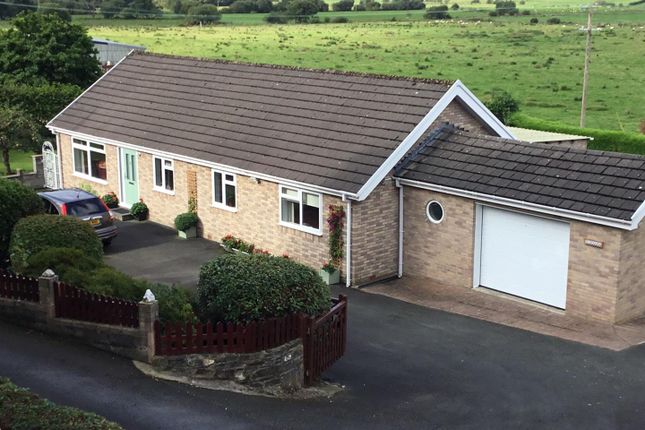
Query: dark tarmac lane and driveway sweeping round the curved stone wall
[406,367]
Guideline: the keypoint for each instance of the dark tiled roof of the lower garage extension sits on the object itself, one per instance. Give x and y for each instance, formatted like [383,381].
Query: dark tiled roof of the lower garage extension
[607,184]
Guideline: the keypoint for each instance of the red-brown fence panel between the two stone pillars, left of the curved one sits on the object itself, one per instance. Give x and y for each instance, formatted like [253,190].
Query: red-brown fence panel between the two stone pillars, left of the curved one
[77,304]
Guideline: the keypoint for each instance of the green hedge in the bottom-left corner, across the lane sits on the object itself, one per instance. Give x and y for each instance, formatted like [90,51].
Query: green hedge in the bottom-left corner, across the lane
[21,409]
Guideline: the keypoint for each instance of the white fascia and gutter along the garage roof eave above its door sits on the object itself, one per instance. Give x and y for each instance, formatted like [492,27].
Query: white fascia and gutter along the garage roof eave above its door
[564,213]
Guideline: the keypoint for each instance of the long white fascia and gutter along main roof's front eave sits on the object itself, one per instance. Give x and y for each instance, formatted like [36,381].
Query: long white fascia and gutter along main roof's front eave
[196,161]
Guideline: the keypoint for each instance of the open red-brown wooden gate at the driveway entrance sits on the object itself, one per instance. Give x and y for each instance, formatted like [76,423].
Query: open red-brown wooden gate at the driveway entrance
[325,340]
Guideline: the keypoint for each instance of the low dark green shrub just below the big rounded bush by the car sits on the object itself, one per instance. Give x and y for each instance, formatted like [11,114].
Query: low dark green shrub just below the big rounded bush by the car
[71,265]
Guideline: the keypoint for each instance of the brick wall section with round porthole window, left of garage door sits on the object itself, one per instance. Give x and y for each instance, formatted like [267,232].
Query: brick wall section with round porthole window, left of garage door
[442,252]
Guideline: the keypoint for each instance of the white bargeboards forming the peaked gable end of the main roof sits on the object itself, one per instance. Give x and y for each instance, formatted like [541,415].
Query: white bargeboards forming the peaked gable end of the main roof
[459,90]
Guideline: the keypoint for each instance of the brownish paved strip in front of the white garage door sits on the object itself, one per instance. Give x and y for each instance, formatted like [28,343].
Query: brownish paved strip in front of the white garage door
[499,308]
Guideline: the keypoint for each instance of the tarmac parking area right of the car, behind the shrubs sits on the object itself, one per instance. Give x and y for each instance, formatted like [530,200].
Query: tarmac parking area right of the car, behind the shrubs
[154,252]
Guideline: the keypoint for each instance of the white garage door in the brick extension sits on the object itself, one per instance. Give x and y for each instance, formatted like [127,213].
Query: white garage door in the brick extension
[524,255]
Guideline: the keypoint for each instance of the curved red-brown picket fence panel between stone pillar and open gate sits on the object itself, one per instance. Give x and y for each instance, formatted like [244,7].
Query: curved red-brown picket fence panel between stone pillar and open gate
[189,338]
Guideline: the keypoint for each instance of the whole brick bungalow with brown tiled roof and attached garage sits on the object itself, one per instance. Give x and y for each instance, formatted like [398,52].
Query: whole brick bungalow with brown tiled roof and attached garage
[265,150]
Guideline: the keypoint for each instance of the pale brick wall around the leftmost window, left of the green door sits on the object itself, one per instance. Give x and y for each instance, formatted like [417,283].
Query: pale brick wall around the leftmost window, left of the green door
[69,180]
